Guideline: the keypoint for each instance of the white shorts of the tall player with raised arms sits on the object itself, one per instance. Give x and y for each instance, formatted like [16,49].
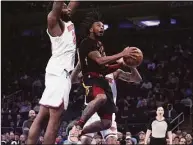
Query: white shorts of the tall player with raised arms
[57,89]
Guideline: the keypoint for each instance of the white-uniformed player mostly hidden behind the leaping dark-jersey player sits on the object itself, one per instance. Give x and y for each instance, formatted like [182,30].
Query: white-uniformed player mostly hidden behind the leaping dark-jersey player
[110,135]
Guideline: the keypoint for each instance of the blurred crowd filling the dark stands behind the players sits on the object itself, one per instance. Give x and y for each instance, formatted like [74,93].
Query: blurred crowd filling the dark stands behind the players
[167,81]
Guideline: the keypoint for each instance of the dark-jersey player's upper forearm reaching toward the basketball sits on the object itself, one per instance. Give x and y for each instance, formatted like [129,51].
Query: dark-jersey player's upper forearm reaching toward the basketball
[109,59]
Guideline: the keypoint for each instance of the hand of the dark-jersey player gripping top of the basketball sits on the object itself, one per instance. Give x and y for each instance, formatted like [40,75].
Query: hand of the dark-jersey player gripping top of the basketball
[130,52]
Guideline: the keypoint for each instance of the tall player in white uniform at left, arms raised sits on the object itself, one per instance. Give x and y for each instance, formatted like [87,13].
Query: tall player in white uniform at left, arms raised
[57,79]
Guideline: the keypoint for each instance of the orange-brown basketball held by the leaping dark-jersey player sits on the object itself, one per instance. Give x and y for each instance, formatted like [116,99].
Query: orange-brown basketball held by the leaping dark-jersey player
[132,62]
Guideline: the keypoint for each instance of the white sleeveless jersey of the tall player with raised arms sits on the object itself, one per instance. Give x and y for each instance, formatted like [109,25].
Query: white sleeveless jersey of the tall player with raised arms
[63,51]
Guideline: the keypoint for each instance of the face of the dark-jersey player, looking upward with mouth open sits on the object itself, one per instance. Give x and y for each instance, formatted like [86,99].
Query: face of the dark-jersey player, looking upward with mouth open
[97,28]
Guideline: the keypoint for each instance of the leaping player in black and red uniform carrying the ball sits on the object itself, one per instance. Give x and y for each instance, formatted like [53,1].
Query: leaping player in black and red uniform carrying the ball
[95,65]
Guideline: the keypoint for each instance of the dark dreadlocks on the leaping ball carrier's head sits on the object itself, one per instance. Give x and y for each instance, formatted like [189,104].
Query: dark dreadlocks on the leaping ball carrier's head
[90,18]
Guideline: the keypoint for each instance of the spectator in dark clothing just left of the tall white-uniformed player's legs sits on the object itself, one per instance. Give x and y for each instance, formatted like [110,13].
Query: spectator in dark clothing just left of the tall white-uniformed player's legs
[27,124]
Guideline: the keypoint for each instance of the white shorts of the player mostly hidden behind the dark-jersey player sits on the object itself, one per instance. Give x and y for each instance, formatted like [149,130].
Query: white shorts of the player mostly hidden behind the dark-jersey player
[105,133]
